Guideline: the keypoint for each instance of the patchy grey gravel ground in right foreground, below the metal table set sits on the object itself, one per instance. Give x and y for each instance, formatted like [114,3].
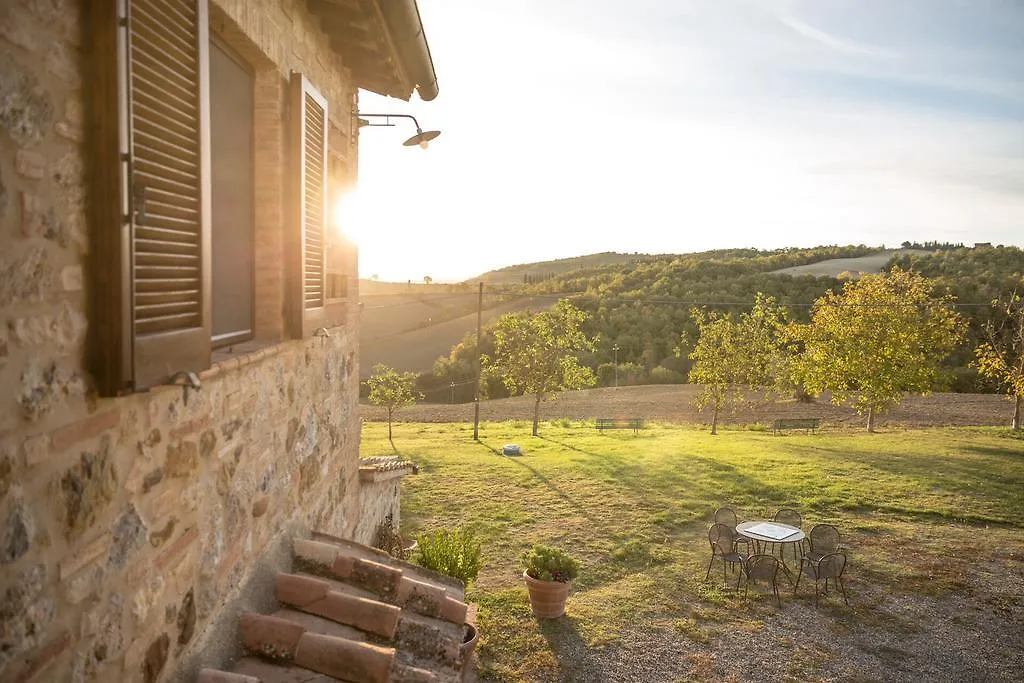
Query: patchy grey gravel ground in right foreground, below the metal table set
[974,637]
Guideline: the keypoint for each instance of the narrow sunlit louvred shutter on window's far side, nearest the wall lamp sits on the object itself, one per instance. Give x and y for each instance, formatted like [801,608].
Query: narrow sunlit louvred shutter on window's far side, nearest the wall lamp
[310,116]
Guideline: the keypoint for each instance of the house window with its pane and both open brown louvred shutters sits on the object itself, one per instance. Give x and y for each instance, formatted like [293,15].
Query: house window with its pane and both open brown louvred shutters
[173,218]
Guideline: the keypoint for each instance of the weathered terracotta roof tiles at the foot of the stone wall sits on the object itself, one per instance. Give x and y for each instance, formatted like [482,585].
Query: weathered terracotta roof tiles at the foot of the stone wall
[350,613]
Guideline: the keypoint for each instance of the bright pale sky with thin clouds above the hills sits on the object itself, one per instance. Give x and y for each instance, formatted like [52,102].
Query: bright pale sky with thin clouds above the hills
[572,127]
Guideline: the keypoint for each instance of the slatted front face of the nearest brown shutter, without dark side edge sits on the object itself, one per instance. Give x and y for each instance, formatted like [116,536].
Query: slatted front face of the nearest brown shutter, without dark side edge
[169,178]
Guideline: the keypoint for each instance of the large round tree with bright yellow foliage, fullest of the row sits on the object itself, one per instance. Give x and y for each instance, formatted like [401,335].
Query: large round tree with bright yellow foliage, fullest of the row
[881,336]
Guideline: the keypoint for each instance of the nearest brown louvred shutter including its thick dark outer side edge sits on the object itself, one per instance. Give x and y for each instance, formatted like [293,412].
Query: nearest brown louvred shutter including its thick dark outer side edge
[150,211]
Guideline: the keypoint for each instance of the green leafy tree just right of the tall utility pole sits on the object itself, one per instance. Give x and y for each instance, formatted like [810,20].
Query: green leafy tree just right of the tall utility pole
[538,355]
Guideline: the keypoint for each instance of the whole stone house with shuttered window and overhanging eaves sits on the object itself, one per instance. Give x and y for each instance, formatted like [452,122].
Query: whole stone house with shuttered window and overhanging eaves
[179,320]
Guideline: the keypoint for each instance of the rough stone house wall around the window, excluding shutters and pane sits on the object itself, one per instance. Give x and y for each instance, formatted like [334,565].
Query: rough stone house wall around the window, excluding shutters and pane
[129,527]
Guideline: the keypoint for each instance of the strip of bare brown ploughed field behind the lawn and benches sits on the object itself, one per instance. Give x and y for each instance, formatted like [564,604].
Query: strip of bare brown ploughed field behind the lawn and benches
[674,404]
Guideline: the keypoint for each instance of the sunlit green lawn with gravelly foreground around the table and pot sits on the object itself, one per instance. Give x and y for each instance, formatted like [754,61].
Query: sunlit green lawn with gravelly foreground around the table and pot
[932,521]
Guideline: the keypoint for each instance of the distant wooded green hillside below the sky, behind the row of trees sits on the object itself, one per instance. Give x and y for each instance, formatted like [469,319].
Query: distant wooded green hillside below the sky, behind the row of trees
[645,310]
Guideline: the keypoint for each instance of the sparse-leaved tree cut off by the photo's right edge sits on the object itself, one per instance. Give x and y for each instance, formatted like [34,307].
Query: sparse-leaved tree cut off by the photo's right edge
[1001,356]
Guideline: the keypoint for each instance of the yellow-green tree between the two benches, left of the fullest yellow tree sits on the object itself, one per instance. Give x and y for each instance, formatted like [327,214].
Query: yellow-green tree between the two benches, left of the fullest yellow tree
[733,358]
